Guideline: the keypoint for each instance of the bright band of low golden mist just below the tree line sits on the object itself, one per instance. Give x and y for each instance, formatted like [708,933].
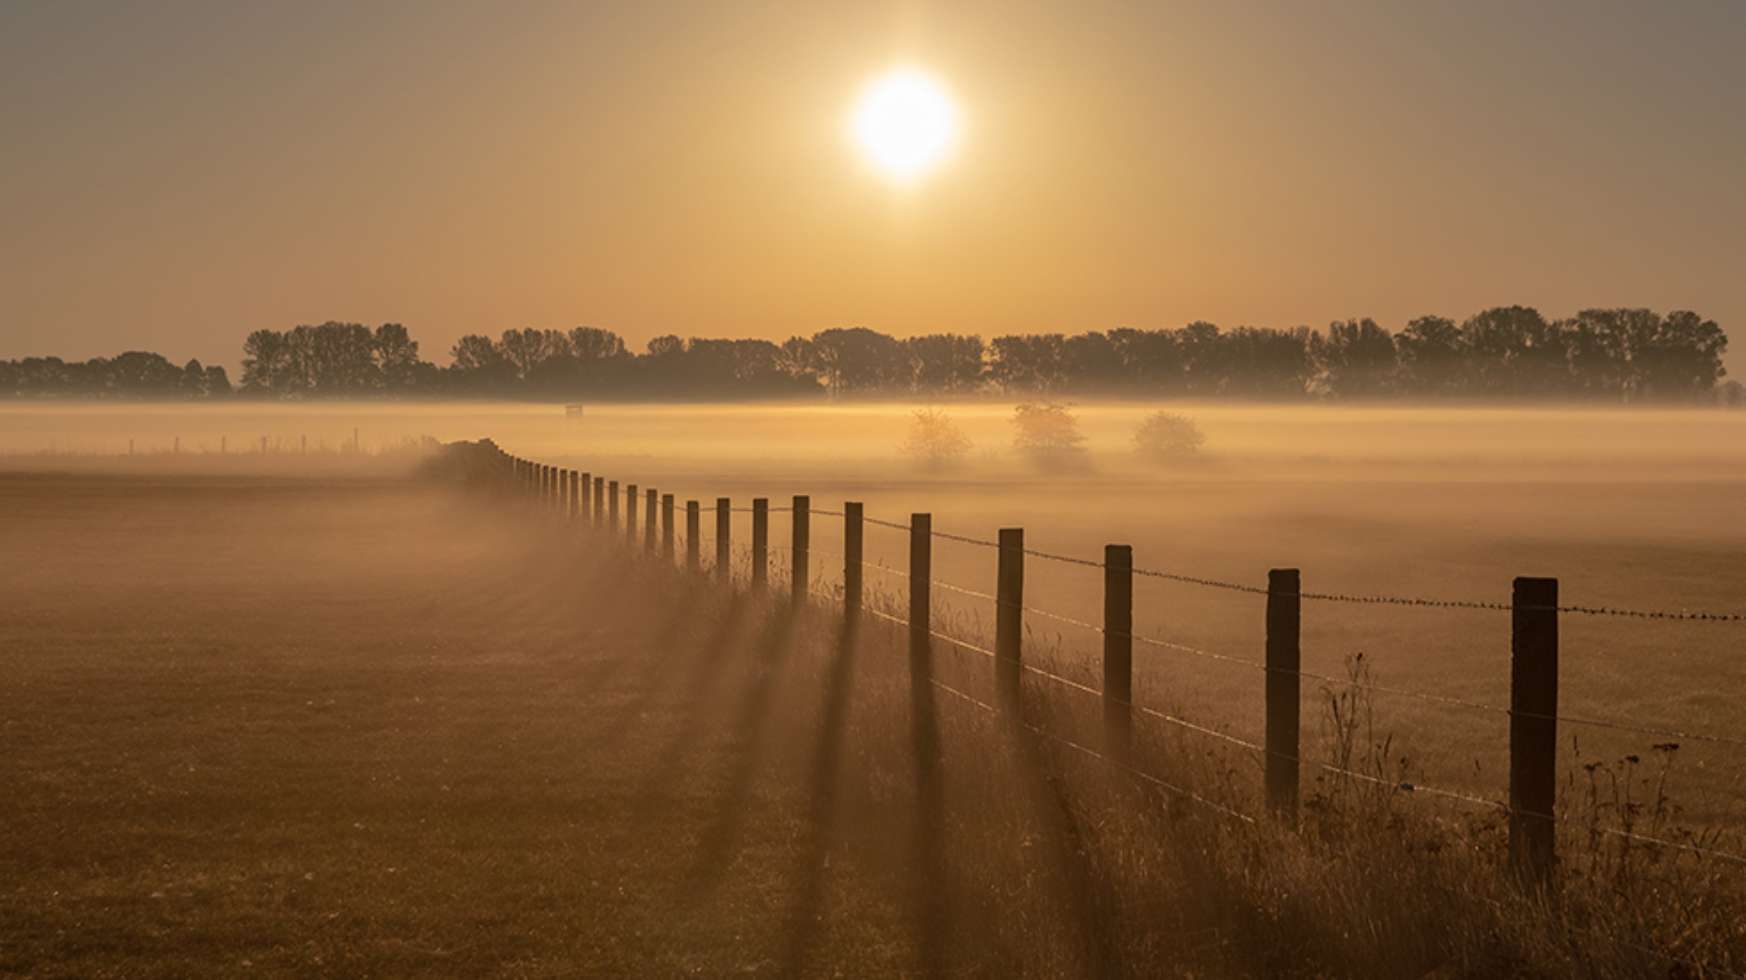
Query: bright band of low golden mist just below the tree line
[965,443]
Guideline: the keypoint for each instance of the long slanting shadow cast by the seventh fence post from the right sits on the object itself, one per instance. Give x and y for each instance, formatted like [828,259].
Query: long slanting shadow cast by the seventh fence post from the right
[748,729]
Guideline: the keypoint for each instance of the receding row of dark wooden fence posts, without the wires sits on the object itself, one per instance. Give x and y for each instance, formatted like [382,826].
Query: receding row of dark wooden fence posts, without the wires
[1534,638]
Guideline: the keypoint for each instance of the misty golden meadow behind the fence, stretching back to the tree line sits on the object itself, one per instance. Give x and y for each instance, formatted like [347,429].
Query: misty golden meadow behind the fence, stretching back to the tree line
[1628,509]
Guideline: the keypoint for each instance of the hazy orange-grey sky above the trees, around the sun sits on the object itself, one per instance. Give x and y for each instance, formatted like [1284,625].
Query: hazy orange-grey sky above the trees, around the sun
[177,174]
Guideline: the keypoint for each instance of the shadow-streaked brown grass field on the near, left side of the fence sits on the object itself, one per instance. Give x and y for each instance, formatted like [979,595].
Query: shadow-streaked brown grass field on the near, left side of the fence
[336,726]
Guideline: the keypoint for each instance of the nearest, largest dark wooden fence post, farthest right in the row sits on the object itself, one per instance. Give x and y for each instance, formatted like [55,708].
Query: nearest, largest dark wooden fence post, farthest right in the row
[1534,726]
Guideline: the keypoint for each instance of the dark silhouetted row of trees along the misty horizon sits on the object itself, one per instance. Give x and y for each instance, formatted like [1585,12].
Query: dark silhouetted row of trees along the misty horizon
[1509,352]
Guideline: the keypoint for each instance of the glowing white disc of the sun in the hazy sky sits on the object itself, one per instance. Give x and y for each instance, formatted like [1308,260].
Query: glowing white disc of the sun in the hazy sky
[905,123]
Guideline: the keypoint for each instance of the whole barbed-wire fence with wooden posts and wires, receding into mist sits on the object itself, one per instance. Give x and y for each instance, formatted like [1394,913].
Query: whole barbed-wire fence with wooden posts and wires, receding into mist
[1534,609]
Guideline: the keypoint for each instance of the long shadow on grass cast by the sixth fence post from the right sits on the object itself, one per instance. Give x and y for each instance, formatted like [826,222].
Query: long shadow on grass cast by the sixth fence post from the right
[821,825]
